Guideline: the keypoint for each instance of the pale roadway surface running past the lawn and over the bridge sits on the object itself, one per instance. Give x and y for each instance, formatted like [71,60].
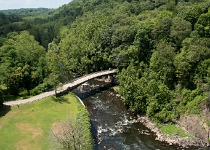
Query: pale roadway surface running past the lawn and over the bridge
[64,88]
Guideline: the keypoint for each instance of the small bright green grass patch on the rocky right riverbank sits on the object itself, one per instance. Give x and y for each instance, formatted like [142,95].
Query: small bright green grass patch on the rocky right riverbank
[172,129]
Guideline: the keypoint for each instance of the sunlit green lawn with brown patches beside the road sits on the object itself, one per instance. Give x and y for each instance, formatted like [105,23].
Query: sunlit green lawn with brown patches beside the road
[29,126]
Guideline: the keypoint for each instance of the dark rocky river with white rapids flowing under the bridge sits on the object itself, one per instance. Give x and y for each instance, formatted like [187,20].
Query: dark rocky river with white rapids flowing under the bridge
[111,122]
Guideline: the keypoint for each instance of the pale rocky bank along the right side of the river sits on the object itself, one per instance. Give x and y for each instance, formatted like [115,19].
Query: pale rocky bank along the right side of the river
[174,139]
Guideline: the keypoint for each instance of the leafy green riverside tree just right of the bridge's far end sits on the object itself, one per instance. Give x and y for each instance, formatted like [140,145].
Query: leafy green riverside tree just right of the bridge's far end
[132,88]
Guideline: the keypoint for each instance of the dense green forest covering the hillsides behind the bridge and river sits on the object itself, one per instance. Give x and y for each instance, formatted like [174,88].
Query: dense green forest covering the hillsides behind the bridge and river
[161,49]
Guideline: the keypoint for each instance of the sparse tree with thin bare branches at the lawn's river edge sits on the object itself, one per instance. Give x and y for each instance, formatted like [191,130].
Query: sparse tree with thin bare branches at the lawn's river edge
[74,133]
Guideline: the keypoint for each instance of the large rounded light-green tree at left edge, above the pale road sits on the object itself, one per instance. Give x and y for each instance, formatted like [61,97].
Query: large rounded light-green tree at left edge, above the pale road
[20,56]
